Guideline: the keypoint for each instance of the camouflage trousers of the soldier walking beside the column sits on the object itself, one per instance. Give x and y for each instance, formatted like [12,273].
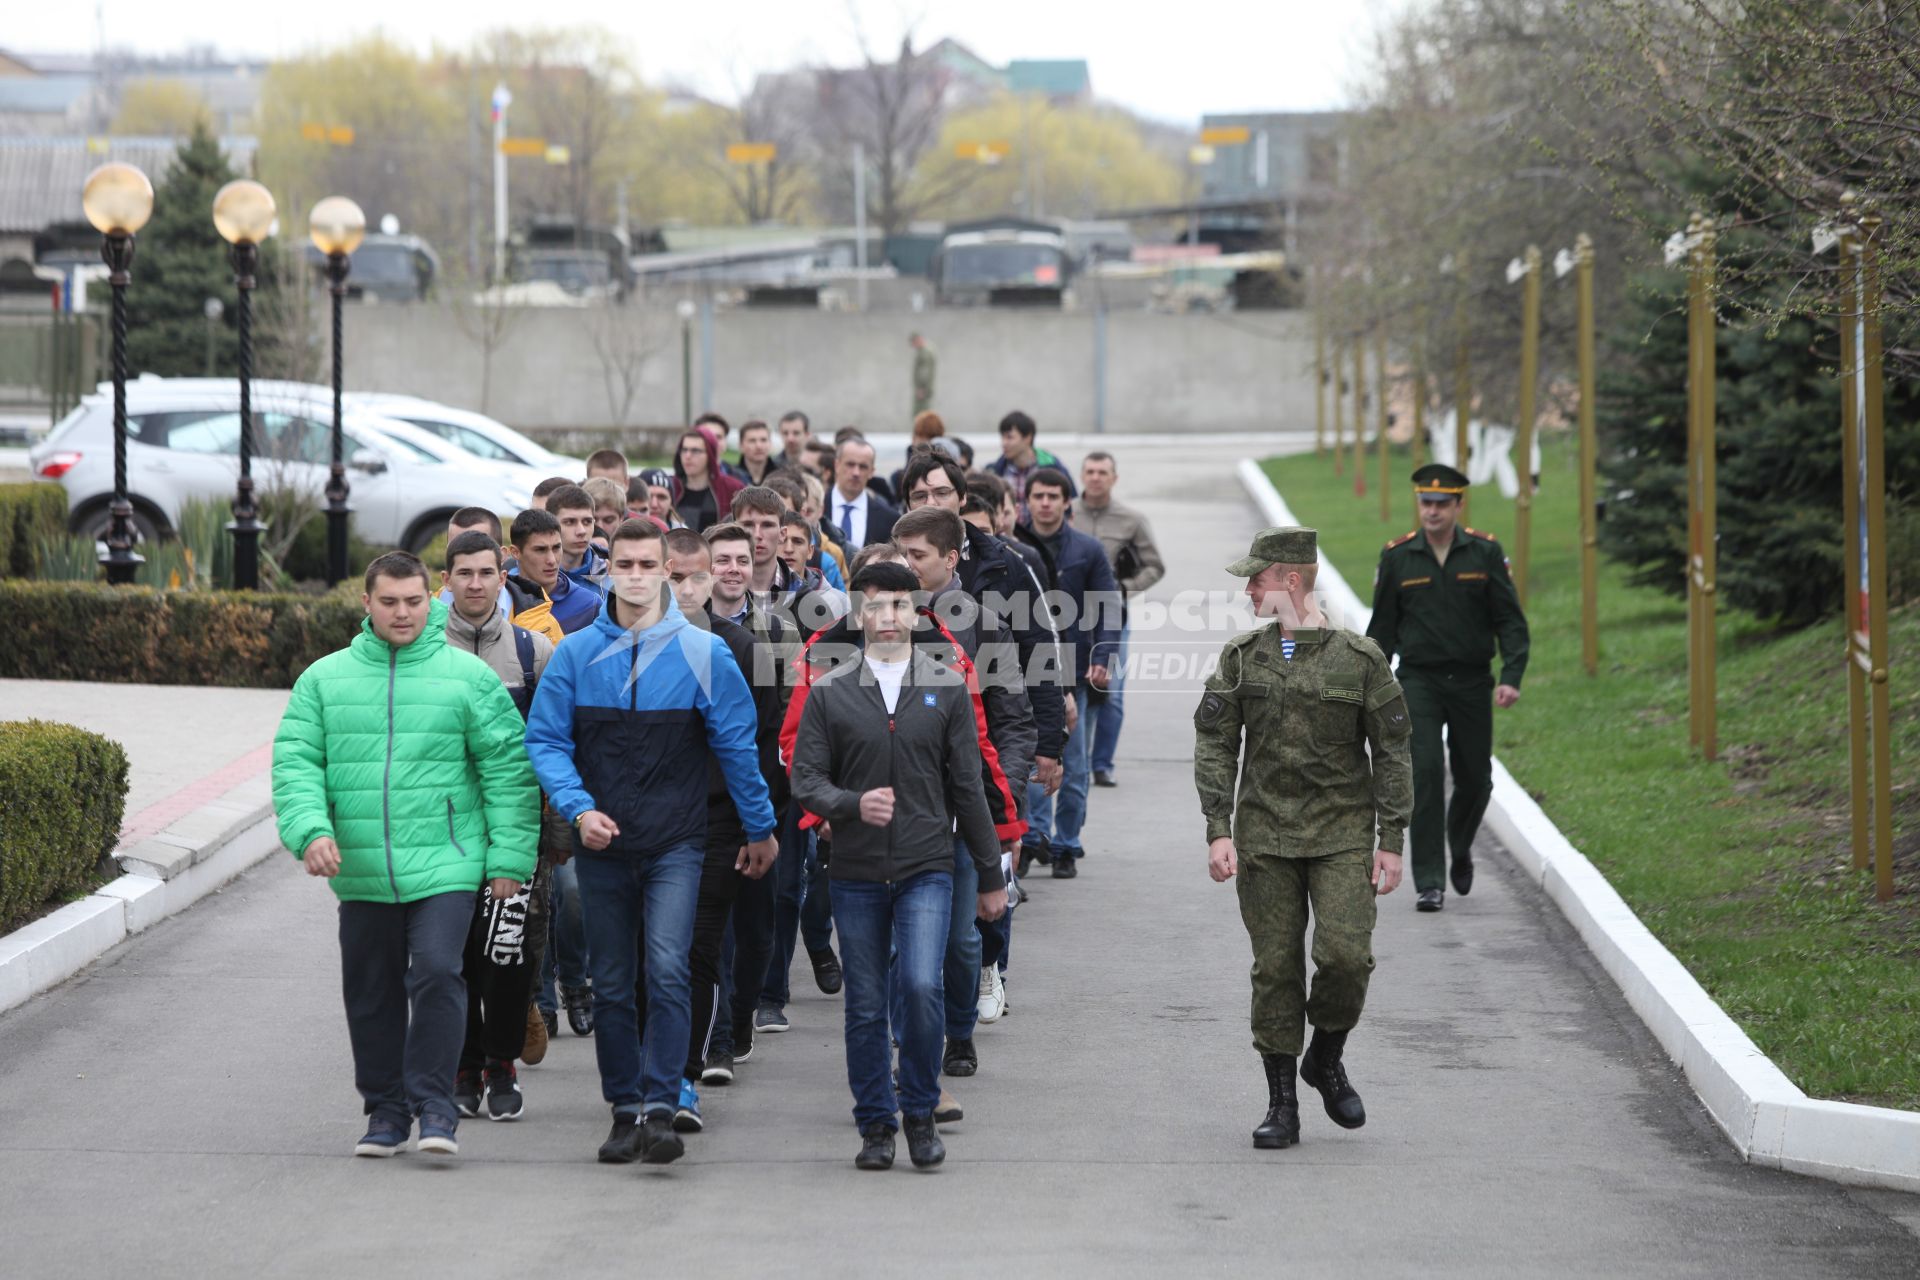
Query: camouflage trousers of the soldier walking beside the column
[1278,897]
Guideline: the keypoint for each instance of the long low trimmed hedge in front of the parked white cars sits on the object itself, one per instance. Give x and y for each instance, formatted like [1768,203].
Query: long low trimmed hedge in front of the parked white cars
[249,640]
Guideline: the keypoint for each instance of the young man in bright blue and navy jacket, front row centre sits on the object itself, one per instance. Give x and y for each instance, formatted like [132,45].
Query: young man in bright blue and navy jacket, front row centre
[621,736]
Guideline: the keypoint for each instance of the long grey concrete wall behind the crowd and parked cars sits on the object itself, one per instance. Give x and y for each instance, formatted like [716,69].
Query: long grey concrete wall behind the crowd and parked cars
[560,367]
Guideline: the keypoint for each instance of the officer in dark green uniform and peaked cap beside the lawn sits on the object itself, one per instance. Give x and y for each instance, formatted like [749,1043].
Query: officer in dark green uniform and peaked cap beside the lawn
[1441,600]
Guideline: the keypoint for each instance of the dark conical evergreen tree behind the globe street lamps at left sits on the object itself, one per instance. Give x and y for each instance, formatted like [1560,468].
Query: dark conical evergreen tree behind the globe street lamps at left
[180,264]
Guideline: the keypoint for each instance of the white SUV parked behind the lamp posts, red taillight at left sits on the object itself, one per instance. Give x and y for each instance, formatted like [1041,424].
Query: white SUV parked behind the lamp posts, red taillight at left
[183,442]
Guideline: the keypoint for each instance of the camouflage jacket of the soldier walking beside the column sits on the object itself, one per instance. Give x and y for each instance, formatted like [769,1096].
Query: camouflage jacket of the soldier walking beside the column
[1308,786]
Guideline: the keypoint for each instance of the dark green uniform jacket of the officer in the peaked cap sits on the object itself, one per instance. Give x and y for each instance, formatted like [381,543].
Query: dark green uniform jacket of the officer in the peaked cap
[1449,615]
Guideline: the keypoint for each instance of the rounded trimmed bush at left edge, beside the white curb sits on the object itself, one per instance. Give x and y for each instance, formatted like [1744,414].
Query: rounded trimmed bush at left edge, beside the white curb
[62,799]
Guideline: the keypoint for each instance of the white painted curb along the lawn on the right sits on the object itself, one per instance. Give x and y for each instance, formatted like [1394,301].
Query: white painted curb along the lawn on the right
[1769,1120]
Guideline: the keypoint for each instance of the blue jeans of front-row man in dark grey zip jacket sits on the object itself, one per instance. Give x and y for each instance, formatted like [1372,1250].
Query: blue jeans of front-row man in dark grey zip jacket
[909,922]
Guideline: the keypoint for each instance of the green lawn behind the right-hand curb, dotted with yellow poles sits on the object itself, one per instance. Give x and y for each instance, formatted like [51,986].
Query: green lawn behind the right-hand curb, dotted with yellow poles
[1742,868]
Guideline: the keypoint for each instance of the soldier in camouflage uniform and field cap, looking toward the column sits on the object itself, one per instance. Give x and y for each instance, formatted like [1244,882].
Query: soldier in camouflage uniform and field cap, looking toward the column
[1293,818]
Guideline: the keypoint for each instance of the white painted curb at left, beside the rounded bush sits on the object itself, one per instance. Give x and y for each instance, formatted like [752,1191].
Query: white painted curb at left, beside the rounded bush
[216,843]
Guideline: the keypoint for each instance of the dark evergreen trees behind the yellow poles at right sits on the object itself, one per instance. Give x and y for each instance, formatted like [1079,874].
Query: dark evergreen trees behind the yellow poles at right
[1779,454]
